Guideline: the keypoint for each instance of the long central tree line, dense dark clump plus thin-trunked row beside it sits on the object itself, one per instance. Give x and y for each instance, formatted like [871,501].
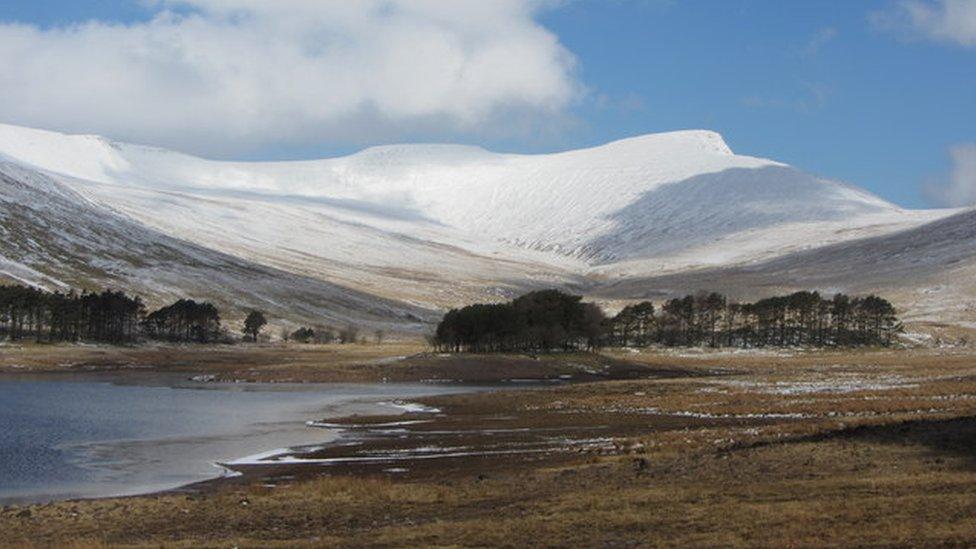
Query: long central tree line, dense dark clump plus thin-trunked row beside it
[552,320]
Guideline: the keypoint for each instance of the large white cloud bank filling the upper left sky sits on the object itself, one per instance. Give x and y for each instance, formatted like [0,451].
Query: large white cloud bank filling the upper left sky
[222,76]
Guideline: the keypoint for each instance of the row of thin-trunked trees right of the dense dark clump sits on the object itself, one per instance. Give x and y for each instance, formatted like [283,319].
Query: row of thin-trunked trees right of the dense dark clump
[798,319]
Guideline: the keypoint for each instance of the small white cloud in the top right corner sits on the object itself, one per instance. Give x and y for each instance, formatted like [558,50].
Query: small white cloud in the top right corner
[949,21]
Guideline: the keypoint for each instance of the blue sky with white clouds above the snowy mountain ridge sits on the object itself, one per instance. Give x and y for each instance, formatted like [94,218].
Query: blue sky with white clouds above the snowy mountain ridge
[881,93]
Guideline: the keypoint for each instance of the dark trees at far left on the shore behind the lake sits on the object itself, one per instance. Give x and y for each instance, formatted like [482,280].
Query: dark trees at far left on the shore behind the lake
[109,316]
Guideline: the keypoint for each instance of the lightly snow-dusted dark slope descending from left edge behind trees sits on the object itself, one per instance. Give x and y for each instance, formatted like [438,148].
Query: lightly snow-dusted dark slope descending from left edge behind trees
[54,238]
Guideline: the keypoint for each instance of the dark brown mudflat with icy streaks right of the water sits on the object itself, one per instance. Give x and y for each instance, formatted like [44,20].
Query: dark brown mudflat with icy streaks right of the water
[454,435]
